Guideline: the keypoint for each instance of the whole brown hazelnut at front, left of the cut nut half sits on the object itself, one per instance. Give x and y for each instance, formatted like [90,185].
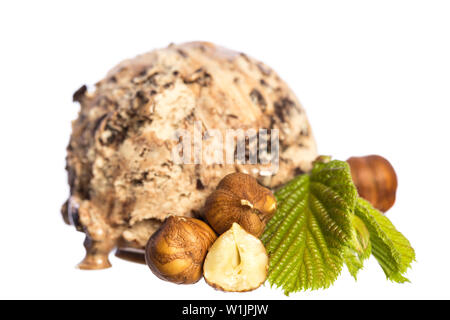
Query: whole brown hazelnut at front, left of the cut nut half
[177,250]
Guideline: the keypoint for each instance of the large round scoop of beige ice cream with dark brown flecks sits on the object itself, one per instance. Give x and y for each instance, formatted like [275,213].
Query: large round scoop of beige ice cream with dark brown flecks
[123,179]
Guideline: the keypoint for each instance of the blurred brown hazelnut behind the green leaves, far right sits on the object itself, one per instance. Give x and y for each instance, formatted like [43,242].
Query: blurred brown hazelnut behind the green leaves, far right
[375,179]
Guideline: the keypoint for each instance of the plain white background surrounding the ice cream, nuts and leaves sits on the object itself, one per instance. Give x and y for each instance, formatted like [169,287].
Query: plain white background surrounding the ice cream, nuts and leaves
[374,77]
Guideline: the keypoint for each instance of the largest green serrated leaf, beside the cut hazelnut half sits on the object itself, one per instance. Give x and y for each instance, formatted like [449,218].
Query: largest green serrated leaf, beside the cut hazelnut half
[309,235]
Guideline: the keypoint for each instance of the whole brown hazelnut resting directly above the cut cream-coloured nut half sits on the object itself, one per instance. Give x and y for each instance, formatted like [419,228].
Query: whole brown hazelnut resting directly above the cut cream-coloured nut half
[240,199]
